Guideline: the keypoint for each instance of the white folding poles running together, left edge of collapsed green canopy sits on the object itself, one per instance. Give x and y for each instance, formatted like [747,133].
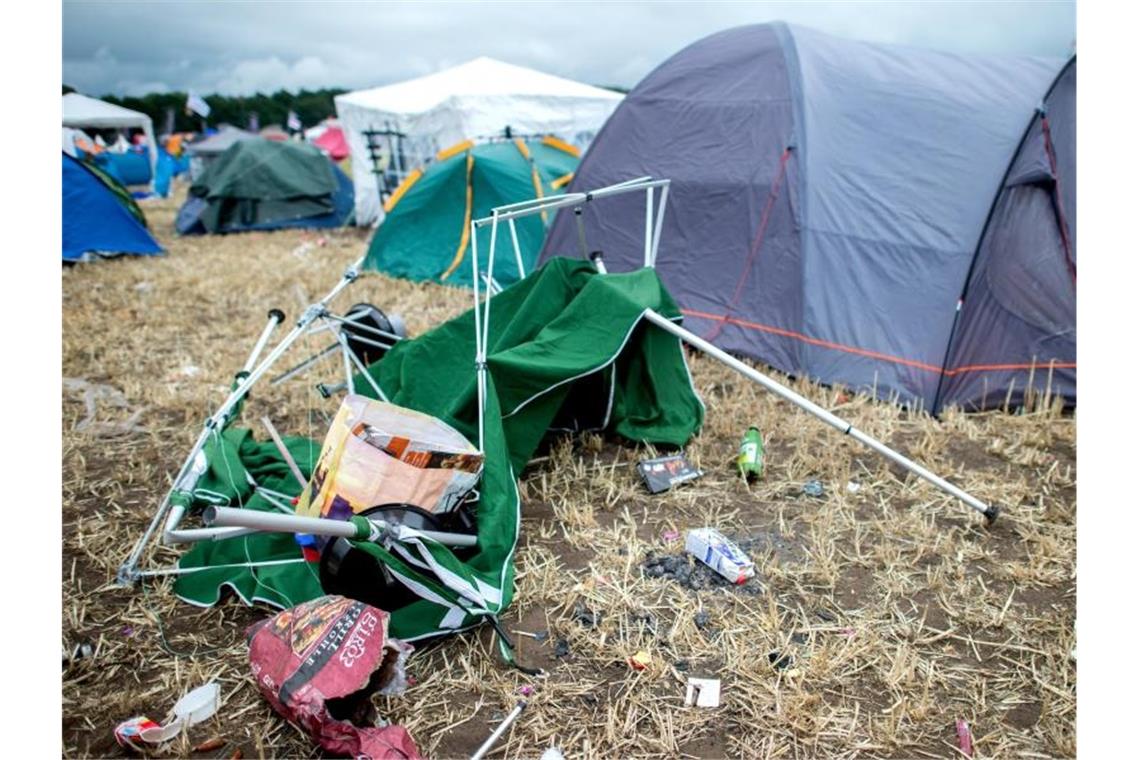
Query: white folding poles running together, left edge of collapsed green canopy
[189,476]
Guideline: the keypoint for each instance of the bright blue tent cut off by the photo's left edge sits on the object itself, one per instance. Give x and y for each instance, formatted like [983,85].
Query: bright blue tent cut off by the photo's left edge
[100,218]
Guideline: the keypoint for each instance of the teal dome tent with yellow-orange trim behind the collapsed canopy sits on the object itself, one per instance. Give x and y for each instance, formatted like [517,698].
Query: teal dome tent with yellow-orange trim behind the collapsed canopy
[427,232]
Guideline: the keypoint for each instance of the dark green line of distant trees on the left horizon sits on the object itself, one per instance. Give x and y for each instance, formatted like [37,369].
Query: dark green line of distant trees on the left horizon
[312,108]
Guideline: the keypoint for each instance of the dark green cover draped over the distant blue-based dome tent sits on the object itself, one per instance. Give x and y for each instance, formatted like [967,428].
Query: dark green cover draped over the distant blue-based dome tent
[263,182]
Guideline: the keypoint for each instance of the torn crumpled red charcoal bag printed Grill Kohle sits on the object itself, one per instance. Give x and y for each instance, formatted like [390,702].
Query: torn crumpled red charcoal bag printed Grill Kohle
[319,665]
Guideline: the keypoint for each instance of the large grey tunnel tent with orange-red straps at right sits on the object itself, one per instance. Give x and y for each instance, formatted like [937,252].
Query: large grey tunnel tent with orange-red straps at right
[828,202]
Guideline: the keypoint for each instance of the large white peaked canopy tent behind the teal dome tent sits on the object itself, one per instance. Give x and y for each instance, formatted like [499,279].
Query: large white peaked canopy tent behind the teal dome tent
[479,99]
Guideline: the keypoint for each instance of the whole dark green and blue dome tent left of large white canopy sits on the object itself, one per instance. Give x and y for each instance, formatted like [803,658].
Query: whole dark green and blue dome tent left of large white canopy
[262,185]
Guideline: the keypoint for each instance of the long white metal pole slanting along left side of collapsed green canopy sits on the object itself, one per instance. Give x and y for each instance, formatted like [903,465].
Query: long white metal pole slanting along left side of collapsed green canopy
[129,570]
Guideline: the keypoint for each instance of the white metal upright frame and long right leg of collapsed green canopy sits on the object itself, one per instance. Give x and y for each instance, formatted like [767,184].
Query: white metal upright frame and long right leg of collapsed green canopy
[653,236]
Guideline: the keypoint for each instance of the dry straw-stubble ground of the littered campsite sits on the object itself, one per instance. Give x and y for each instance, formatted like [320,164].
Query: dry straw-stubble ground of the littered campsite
[891,611]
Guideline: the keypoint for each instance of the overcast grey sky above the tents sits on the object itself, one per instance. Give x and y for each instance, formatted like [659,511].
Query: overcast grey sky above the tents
[240,48]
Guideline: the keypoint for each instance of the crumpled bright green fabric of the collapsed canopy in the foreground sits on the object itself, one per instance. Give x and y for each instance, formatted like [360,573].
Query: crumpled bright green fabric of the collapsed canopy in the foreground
[567,348]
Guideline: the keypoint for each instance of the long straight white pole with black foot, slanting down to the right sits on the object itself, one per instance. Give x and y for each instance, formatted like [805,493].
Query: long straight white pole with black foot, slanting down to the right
[843,427]
